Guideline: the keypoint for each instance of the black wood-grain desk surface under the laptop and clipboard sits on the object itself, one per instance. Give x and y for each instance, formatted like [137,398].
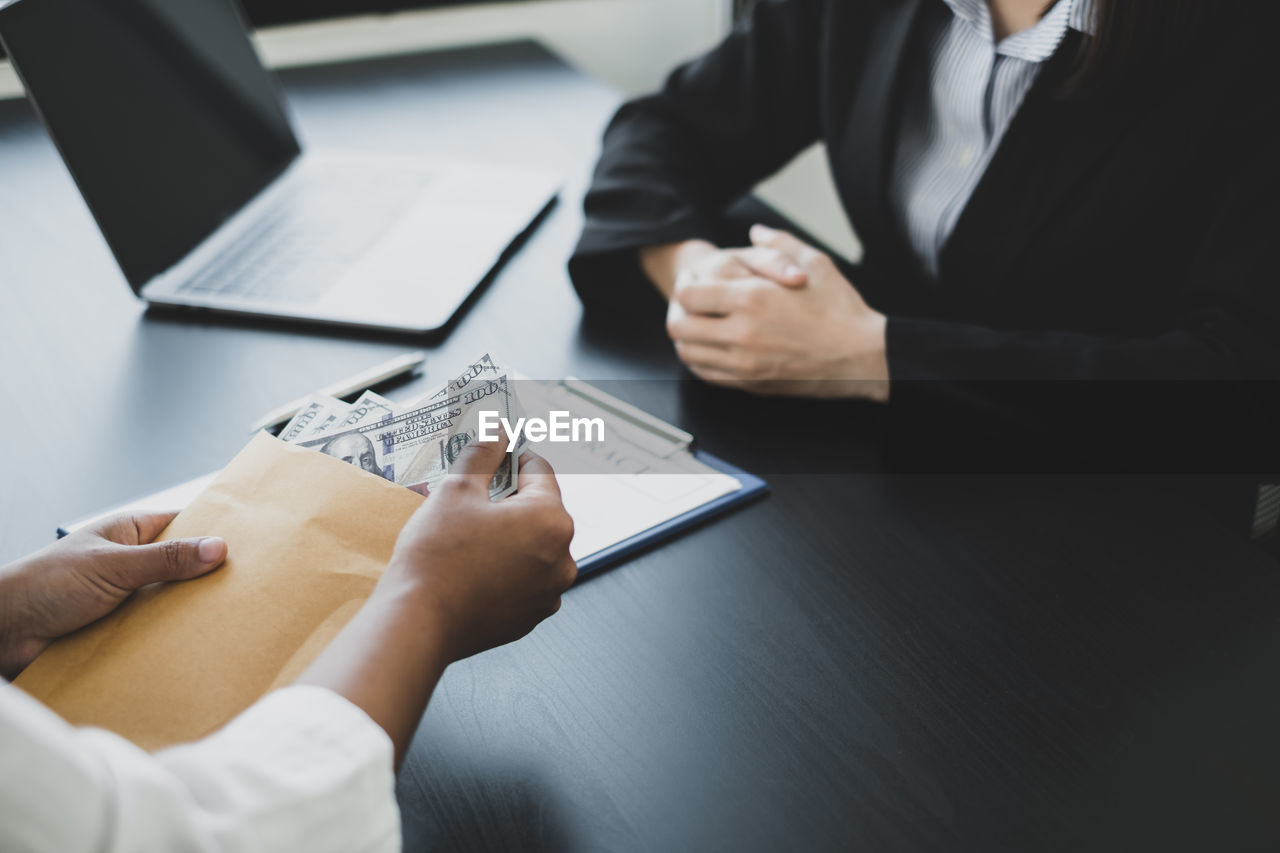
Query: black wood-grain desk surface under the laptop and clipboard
[890,663]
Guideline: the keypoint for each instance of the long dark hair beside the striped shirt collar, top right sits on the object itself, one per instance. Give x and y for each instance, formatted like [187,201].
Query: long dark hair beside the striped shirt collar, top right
[1135,39]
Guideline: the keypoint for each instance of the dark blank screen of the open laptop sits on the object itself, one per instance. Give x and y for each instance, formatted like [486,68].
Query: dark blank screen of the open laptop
[162,111]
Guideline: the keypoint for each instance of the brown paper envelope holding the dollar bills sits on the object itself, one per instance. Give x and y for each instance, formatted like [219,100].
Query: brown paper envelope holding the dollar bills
[308,537]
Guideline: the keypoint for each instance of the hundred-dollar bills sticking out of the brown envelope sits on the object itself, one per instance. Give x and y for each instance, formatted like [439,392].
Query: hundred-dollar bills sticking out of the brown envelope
[413,445]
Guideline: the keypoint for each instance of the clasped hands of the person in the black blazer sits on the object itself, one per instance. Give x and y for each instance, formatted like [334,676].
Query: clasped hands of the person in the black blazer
[774,318]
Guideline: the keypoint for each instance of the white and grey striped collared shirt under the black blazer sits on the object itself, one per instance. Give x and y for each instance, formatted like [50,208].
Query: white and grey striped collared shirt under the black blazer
[959,108]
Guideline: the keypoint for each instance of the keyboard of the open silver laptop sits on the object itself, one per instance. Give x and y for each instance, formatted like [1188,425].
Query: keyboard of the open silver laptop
[319,225]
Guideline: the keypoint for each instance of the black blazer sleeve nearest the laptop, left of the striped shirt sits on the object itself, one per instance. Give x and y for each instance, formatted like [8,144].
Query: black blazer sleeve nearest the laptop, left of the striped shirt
[671,162]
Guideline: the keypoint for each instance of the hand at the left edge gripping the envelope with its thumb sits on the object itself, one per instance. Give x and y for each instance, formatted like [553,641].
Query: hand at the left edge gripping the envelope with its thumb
[89,574]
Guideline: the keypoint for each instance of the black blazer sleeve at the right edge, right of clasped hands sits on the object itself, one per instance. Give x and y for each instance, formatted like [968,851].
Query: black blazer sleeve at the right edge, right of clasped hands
[1203,396]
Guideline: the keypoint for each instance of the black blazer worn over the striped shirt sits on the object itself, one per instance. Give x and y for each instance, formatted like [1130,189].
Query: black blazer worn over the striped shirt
[1114,236]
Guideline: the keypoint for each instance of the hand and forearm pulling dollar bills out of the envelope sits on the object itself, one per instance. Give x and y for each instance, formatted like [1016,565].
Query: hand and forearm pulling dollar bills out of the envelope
[467,574]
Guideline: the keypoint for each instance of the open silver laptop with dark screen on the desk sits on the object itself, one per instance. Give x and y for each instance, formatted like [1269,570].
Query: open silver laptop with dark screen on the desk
[179,139]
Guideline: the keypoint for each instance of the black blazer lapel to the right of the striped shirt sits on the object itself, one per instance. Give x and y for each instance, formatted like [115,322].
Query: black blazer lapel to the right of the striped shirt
[1049,150]
